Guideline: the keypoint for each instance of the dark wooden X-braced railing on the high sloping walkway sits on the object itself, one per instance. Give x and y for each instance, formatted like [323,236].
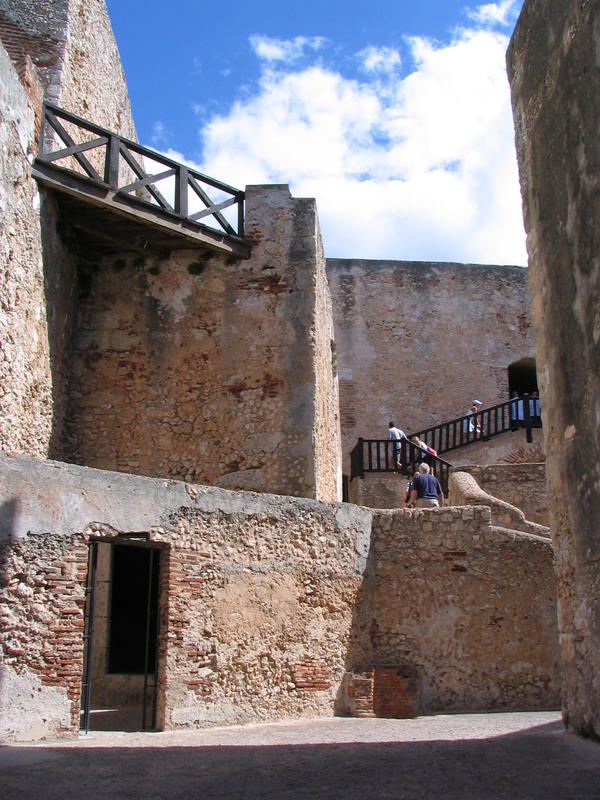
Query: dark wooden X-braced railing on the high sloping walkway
[133,173]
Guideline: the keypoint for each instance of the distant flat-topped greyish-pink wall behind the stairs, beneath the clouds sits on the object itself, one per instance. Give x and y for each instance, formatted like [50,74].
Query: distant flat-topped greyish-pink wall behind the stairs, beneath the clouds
[416,342]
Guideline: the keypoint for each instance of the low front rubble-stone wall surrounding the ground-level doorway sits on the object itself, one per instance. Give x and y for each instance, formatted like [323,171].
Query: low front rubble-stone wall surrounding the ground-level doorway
[267,602]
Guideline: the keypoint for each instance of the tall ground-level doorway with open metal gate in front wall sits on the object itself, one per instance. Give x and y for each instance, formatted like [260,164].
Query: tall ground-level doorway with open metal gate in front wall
[121,634]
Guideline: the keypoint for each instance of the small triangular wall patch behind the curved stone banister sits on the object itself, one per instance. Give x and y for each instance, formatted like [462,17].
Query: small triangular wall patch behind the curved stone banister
[522,485]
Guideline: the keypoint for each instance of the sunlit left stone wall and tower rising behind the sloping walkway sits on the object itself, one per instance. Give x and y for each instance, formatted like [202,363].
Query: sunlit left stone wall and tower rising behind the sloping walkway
[74,53]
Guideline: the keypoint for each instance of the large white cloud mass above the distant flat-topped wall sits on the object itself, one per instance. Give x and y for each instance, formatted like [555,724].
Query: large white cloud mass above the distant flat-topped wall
[421,167]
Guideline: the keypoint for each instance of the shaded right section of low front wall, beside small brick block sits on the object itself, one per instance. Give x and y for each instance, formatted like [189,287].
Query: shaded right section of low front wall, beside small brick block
[457,600]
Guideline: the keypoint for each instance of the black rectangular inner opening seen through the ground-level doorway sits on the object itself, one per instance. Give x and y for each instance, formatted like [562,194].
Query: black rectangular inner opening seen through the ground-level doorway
[133,610]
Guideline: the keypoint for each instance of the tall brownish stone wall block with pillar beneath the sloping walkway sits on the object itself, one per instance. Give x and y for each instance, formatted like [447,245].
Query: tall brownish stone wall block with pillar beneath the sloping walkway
[199,368]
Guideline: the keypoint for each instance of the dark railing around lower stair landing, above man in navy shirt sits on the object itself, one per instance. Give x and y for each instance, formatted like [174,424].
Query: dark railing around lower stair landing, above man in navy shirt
[395,455]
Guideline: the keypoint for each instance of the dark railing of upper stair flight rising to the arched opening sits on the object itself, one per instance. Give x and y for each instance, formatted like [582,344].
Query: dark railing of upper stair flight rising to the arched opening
[510,415]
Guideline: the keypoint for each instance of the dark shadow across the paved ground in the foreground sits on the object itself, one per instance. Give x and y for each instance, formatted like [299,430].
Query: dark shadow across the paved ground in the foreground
[534,762]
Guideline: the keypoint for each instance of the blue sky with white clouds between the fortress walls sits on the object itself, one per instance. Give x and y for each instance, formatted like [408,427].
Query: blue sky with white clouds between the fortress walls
[395,116]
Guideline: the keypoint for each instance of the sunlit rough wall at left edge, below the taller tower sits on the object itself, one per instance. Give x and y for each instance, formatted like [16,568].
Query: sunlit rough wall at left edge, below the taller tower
[25,383]
